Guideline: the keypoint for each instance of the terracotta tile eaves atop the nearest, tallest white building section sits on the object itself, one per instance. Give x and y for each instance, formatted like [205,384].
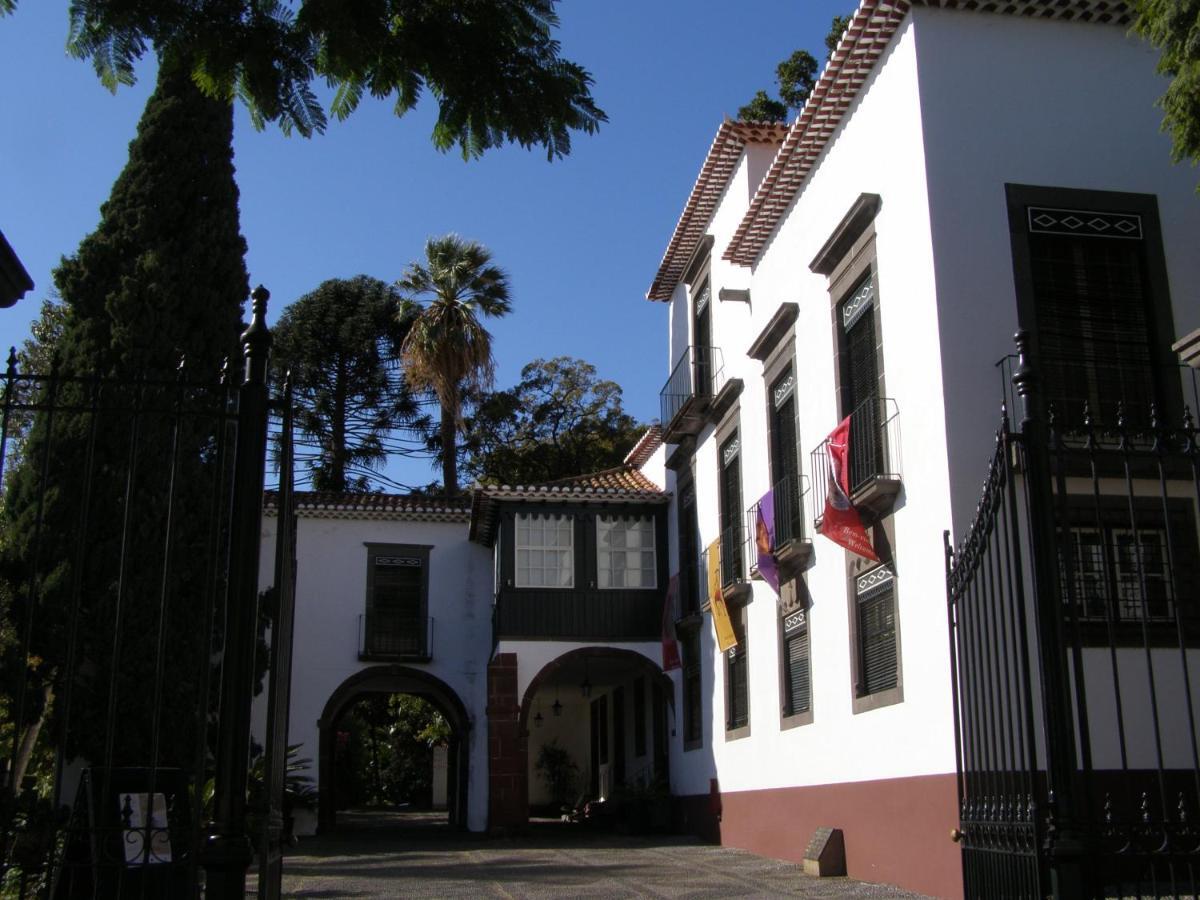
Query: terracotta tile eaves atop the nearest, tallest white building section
[869,33]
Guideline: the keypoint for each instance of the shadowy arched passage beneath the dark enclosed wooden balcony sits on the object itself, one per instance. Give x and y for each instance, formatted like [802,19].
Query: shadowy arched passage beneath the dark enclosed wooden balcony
[610,711]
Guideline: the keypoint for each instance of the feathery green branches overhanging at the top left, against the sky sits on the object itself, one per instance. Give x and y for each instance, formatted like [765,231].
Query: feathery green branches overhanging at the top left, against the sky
[494,69]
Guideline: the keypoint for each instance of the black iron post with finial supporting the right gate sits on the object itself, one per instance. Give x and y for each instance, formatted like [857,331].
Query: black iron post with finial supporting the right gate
[1065,839]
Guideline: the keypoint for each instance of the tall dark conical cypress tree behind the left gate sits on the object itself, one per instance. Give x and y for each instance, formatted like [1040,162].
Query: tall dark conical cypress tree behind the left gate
[109,547]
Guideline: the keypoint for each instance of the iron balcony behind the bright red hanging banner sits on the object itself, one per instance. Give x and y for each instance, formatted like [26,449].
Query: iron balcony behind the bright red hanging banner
[874,460]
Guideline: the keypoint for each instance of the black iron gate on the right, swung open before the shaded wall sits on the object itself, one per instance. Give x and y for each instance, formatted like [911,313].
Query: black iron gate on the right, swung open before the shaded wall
[1075,611]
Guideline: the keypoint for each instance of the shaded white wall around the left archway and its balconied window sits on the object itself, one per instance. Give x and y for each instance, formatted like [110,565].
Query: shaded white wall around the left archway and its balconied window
[332,572]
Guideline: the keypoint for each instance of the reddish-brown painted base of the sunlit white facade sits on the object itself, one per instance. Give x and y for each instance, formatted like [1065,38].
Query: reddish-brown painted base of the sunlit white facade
[898,831]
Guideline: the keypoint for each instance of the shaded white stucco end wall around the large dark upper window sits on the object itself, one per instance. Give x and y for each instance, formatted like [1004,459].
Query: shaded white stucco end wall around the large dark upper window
[1006,99]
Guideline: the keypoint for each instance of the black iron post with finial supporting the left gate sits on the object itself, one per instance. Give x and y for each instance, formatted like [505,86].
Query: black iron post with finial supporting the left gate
[227,851]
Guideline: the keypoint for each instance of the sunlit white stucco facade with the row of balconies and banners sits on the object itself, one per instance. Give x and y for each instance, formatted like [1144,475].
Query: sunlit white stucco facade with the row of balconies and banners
[879,151]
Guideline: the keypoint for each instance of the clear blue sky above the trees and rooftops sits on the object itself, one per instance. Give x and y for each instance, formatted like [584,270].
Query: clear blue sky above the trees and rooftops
[580,238]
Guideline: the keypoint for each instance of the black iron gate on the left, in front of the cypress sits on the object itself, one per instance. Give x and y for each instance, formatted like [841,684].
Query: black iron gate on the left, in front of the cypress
[133,634]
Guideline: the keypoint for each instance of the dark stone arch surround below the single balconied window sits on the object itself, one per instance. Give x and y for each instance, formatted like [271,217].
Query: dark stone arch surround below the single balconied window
[394,680]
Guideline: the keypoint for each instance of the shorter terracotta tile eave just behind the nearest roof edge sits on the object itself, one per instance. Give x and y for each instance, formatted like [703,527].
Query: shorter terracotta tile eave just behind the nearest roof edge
[698,213]
